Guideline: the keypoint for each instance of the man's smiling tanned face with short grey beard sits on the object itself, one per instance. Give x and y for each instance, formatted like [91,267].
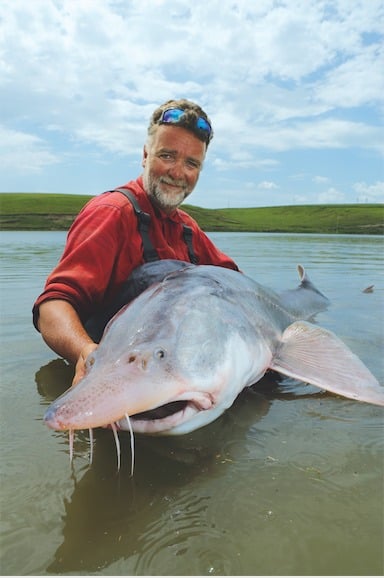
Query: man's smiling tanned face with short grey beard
[172,163]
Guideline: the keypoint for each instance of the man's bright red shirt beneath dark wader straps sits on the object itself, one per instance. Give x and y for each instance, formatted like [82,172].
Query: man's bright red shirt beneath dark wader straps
[104,246]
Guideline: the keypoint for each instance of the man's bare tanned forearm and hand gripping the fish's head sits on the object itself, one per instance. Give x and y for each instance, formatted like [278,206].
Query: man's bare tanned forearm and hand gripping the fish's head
[62,331]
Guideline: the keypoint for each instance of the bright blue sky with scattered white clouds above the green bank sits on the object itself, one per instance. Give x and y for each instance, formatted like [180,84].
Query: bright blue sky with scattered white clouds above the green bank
[294,90]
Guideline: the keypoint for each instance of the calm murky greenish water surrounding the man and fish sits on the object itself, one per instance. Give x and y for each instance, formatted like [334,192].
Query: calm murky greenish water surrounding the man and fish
[289,481]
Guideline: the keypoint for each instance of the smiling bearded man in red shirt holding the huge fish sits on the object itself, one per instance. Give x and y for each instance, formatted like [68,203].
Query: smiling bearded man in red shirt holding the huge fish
[105,244]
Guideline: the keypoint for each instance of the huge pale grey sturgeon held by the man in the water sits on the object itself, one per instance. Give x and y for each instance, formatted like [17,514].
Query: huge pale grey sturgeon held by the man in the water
[200,336]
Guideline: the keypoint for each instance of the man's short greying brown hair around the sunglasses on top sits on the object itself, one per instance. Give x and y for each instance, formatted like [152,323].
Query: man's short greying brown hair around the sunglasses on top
[188,120]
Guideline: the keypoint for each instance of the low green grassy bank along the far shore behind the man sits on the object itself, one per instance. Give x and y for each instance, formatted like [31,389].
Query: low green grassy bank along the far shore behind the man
[34,211]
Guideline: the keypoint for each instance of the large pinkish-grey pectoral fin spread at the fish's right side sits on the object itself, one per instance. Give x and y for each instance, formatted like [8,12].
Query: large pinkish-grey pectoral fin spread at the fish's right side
[317,356]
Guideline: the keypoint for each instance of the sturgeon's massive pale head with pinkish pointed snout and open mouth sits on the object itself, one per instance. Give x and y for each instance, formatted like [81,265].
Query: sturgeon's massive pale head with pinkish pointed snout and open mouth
[173,360]
